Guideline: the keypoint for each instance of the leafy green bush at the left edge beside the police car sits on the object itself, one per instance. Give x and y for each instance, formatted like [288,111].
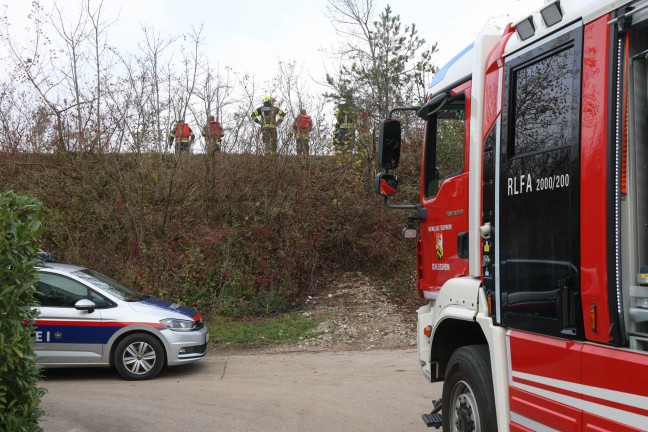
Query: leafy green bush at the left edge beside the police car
[19,375]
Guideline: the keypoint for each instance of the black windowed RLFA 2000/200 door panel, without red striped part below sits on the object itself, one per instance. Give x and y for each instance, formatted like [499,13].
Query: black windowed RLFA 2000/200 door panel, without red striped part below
[539,207]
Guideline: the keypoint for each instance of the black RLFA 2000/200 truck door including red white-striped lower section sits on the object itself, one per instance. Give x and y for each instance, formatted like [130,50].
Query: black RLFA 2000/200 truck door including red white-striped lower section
[538,231]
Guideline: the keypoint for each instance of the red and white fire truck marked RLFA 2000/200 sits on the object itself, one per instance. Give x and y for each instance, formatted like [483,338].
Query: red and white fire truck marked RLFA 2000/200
[532,224]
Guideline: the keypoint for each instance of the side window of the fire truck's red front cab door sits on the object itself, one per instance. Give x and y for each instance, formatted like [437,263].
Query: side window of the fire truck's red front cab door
[444,150]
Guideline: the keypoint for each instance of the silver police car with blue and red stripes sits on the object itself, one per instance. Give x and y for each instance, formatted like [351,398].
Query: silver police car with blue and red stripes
[87,319]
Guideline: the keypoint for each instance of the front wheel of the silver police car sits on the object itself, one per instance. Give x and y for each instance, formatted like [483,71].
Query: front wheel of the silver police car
[139,356]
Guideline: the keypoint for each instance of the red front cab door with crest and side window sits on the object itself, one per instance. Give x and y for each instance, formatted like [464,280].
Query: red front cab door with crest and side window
[444,235]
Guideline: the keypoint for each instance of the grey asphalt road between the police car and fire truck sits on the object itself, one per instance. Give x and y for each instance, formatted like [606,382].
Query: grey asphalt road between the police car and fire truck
[325,391]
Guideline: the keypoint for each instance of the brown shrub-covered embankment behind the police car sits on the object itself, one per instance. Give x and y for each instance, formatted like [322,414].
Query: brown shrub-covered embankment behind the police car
[229,234]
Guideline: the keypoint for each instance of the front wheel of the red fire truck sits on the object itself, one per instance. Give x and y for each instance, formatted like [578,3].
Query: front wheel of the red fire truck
[468,401]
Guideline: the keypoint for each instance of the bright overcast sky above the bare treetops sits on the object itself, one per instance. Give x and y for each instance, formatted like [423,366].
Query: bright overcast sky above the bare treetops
[252,36]
